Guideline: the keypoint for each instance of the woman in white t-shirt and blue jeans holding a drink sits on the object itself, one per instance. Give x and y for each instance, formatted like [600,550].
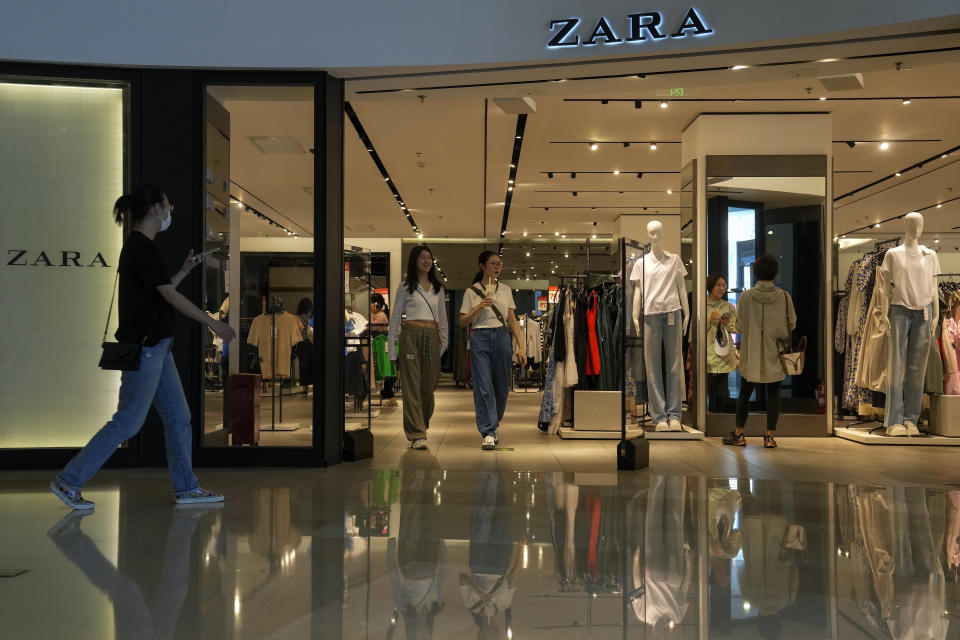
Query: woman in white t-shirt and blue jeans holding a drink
[488,310]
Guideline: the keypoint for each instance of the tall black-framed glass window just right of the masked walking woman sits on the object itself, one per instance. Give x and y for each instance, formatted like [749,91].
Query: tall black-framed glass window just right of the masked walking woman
[259,273]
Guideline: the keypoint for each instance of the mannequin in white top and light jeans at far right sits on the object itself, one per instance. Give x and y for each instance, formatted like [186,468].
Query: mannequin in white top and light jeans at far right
[909,315]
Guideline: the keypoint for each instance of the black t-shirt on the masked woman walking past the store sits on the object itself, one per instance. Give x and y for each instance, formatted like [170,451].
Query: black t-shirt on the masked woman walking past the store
[140,306]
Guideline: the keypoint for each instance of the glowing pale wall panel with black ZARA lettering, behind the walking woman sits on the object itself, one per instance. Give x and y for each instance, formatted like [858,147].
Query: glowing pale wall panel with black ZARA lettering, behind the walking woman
[62,166]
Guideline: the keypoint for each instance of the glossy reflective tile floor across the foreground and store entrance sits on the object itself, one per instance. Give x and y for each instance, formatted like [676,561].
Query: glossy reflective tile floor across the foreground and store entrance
[821,538]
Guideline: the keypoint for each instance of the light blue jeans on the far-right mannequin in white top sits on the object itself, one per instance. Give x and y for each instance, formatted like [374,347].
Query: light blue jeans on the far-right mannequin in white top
[907,351]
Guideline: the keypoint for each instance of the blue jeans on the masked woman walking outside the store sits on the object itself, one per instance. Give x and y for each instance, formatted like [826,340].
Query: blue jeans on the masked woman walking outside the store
[156,382]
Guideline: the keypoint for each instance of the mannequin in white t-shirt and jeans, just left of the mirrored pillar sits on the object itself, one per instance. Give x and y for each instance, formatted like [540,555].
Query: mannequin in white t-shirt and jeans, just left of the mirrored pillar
[660,297]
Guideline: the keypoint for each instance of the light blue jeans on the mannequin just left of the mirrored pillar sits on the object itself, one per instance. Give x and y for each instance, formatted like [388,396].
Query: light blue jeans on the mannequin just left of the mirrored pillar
[661,338]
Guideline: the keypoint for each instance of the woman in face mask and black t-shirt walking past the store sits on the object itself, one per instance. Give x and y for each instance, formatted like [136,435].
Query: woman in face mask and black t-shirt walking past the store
[146,300]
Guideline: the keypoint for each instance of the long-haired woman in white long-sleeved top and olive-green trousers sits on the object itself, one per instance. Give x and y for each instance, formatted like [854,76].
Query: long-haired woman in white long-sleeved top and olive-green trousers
[423,340]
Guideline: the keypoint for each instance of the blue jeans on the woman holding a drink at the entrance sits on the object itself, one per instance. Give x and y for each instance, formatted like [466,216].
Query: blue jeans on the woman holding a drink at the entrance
[490,355]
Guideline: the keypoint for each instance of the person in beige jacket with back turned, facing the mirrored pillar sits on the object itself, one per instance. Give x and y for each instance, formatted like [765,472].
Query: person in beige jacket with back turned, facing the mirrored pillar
[766,315]
